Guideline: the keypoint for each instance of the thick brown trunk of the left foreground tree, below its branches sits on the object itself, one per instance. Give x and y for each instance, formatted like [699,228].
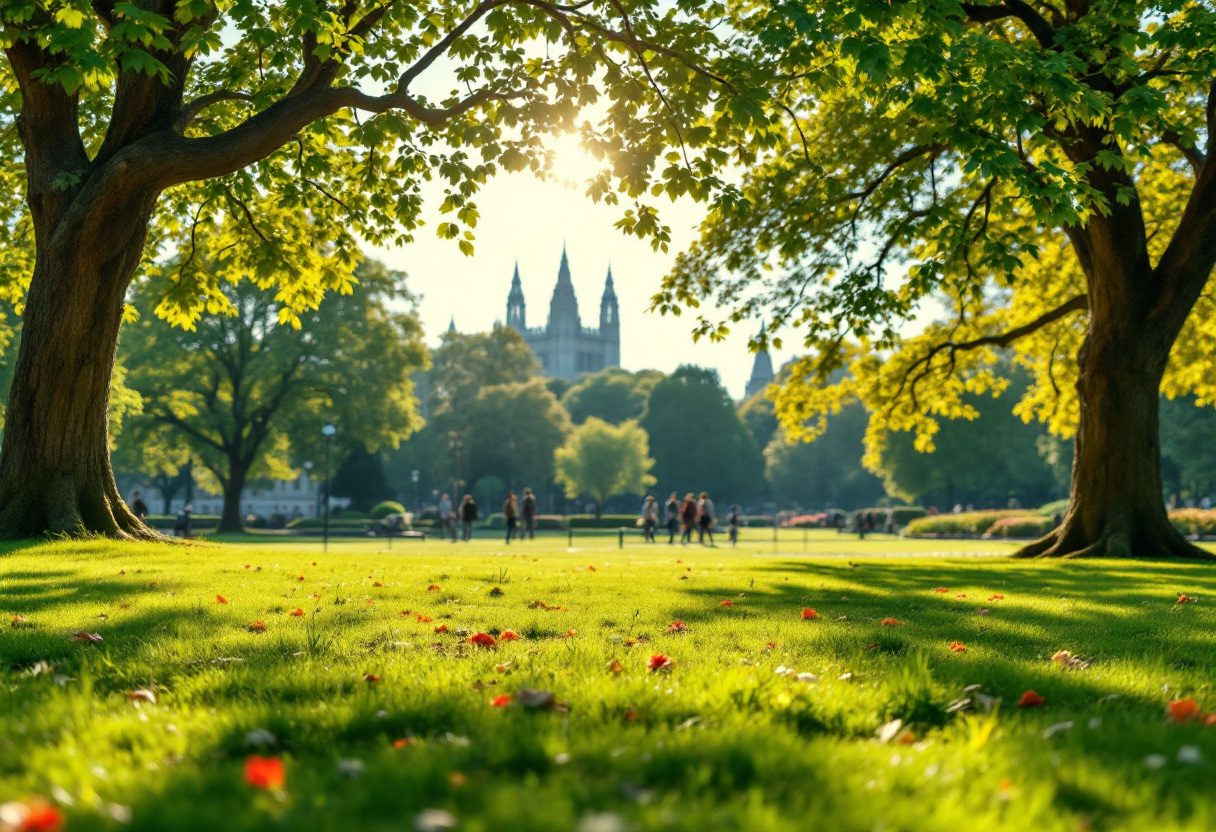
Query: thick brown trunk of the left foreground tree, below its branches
[55,474]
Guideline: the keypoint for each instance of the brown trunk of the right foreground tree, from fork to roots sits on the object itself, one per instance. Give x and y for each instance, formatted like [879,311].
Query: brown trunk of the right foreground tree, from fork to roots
[1117,507]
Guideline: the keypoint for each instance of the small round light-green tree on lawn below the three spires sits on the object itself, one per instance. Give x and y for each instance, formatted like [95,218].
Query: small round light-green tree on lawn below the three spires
[604,460]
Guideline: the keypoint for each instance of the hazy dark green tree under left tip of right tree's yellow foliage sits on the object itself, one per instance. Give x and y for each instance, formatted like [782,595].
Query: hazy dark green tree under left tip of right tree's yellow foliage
[826,474]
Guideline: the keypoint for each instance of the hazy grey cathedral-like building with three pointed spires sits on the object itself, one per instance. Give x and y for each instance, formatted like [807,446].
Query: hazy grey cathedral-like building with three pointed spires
[564,346]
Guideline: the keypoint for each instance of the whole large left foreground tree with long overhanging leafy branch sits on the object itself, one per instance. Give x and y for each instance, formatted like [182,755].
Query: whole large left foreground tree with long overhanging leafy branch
[294,131]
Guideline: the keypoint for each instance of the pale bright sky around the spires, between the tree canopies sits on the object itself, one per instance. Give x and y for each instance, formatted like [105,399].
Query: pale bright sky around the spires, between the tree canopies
[530,221]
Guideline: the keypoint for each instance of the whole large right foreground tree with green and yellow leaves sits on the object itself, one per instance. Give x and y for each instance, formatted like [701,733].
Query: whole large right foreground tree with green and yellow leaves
[1049,173]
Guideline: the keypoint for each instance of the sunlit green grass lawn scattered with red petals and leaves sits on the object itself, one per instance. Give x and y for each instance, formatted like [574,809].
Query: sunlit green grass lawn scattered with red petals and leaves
[720,740]
